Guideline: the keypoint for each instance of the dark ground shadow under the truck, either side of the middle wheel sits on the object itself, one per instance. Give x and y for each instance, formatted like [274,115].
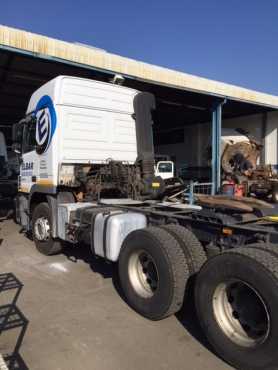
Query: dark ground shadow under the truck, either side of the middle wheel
[187,316]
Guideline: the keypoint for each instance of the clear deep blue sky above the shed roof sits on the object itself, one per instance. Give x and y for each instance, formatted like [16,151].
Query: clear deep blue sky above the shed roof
[231,41]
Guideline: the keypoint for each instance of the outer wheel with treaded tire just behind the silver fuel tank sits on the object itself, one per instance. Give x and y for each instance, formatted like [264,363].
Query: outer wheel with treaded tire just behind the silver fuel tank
[153,272]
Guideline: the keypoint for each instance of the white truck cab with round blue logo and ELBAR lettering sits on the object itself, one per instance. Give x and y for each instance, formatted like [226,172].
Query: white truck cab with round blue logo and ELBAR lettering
[74,121]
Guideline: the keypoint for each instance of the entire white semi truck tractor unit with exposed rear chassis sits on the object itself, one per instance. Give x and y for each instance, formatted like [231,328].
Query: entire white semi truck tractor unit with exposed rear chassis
[87,177]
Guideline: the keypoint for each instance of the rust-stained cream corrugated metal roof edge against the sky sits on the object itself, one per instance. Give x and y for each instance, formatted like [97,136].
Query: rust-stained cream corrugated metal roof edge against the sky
[97,58]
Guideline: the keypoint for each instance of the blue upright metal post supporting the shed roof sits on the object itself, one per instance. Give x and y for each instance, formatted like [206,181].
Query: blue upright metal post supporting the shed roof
[216,148]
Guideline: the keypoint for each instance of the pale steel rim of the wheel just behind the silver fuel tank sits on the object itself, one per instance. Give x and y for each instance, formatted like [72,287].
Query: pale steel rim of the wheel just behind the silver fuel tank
[143,273]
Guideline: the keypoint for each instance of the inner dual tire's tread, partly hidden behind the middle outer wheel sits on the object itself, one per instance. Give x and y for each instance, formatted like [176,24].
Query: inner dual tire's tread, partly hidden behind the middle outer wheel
[192,248]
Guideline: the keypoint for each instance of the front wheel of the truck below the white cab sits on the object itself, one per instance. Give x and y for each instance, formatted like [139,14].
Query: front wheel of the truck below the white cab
[45,245]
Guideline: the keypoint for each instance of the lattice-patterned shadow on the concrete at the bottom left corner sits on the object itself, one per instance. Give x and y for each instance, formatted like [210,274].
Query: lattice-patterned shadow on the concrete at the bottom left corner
[13,320]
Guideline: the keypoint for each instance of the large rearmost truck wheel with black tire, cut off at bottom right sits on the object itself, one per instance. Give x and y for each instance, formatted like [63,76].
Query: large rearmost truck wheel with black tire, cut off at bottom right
[236,299]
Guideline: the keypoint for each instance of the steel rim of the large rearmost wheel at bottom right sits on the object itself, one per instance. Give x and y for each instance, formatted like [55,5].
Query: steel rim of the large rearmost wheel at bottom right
[241,313]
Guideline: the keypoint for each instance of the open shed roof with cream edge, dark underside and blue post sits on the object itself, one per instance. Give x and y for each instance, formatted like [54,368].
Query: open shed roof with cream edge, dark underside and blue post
[27,61]
